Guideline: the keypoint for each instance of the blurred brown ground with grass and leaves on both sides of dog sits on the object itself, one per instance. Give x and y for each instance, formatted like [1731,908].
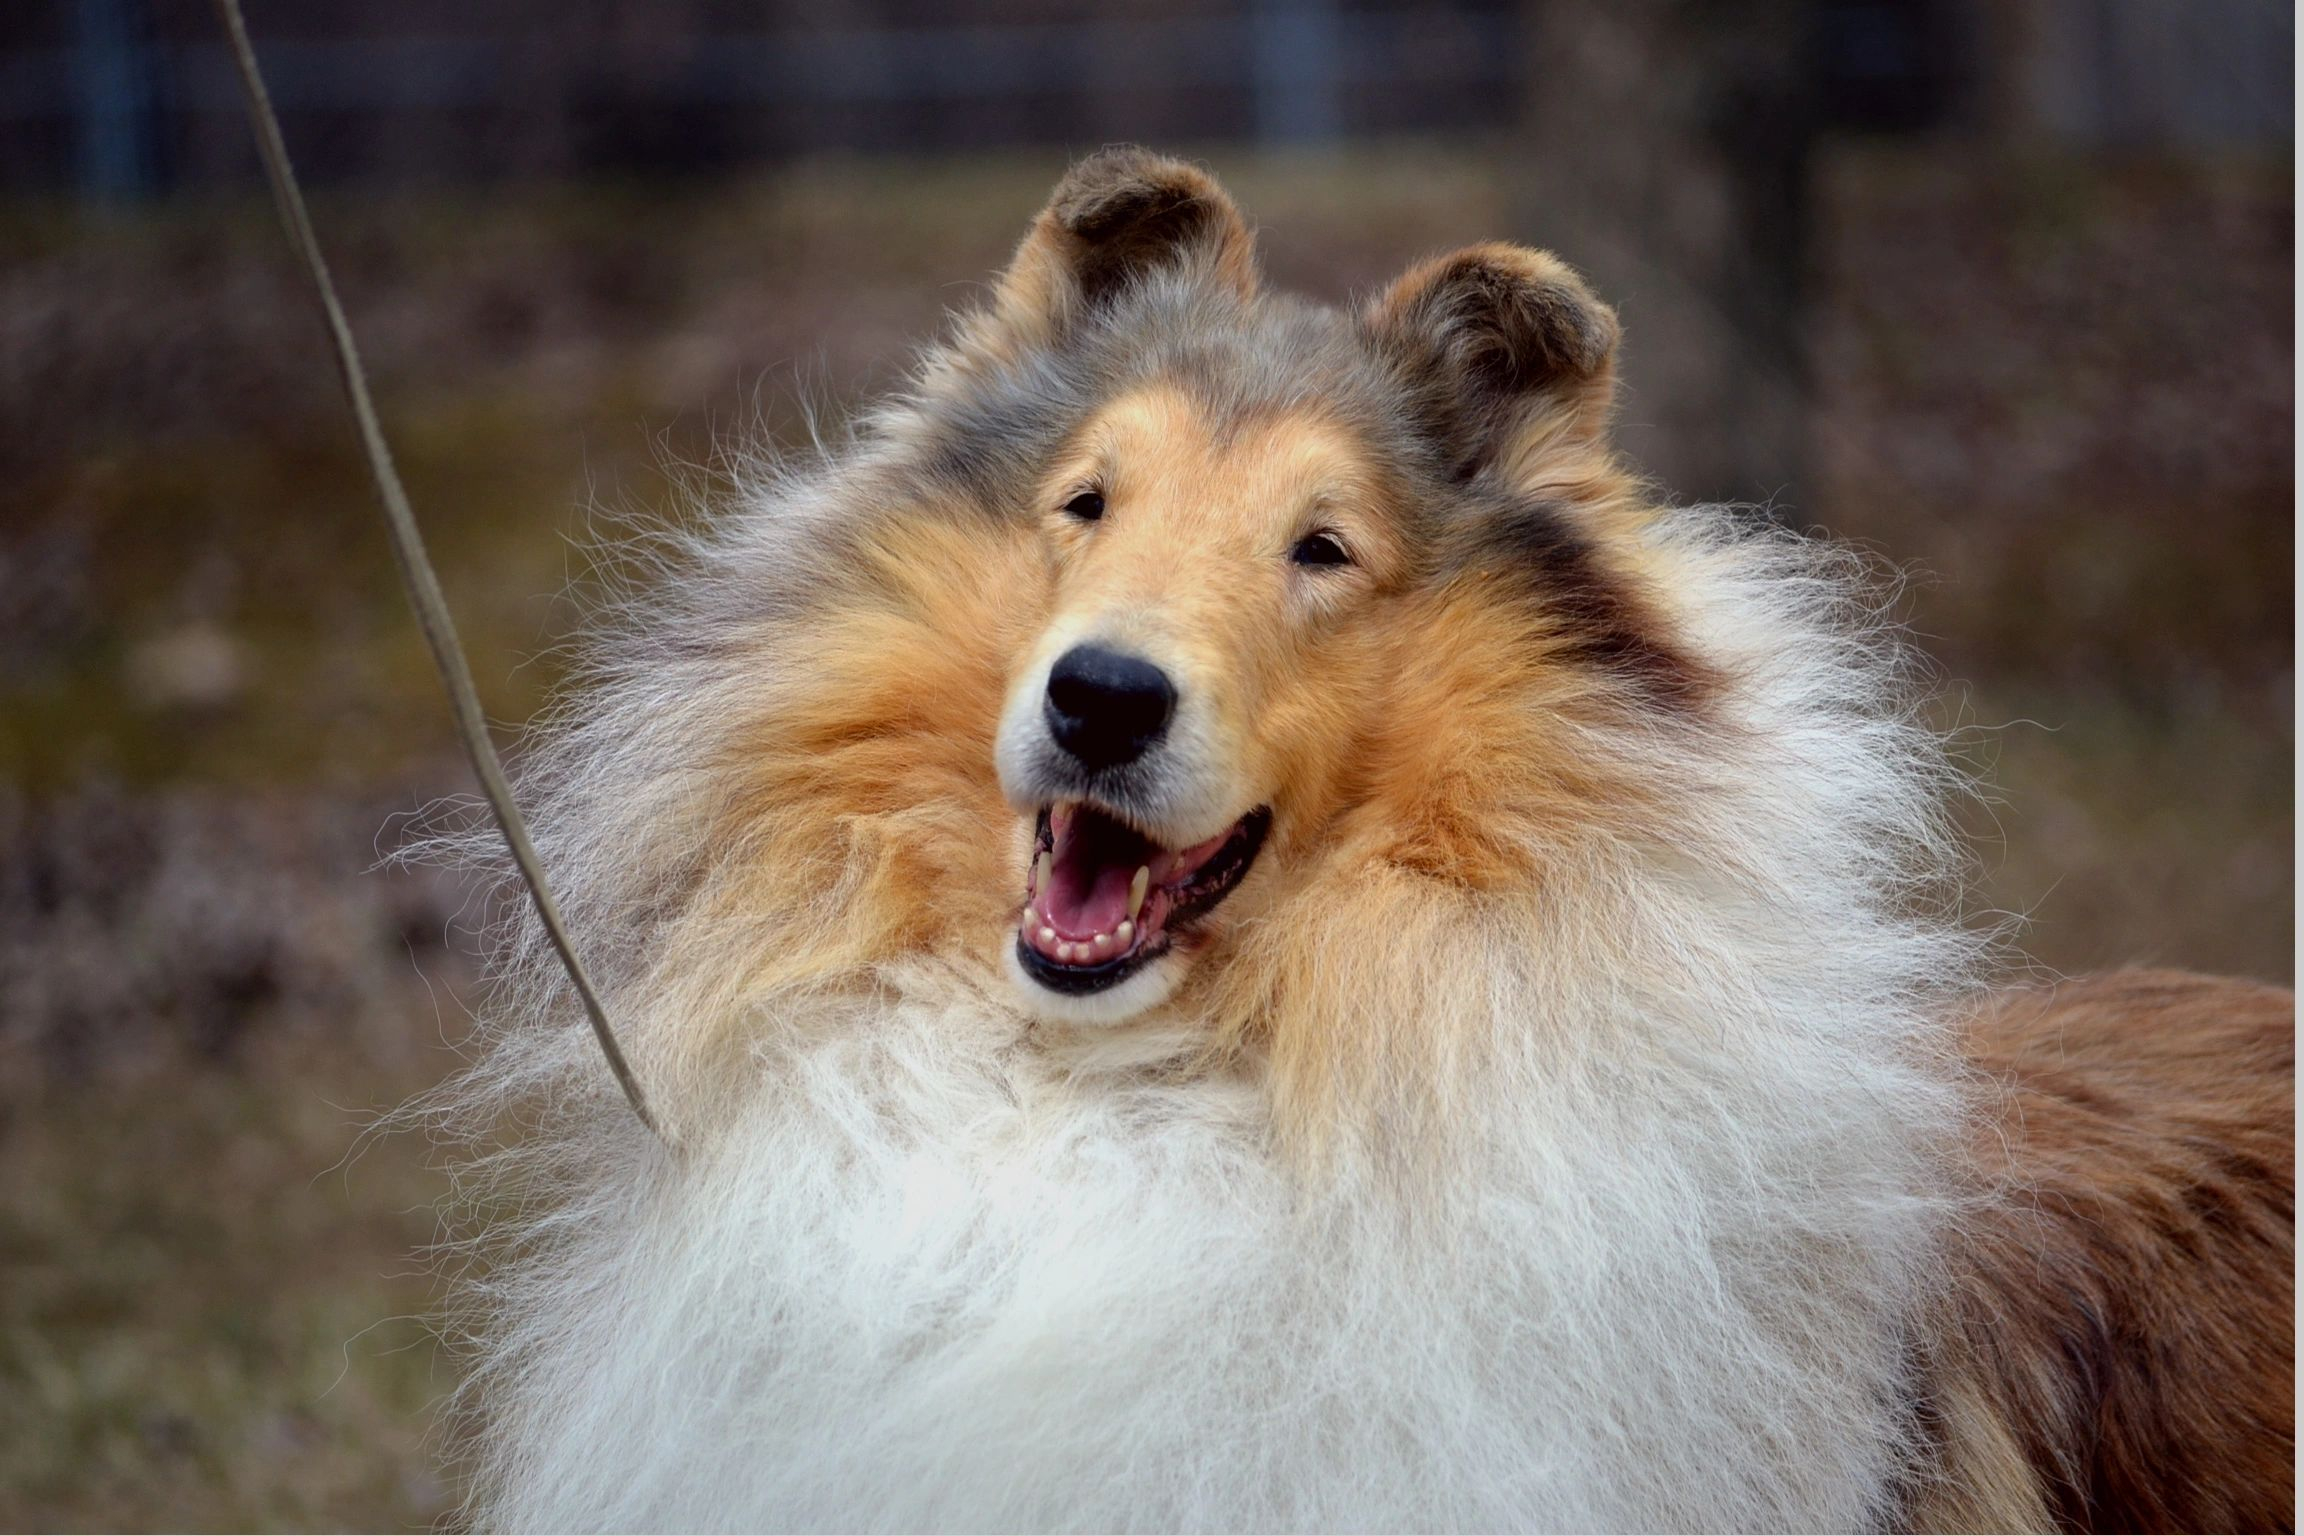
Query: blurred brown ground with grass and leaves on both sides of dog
[2061,393]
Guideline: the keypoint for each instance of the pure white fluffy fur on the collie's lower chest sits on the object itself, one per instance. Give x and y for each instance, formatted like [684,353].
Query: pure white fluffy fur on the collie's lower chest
[937,1282]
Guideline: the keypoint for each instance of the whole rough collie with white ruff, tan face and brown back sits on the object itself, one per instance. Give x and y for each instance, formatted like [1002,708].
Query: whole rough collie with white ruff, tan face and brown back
[1236,929]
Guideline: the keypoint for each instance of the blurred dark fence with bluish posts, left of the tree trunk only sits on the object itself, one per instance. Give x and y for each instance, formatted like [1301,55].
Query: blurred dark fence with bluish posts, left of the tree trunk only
[123,98]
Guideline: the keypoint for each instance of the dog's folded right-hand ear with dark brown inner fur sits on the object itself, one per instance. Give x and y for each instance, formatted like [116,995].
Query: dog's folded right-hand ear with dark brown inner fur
[1506,349]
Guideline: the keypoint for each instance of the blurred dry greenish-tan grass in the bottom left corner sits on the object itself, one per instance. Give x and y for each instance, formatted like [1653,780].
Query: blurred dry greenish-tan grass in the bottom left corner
[206,1323]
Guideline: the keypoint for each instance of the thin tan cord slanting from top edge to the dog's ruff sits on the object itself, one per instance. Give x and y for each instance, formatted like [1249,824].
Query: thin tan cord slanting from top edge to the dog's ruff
[409,552]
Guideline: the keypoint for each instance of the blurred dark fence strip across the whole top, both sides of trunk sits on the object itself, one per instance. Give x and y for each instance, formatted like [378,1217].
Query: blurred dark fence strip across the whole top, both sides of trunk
[130,98]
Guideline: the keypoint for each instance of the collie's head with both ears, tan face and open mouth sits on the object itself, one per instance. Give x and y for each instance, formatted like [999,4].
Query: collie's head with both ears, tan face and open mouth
[1259,522]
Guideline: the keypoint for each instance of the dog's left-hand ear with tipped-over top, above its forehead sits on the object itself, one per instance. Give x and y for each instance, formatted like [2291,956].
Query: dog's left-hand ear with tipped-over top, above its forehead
[1116,218]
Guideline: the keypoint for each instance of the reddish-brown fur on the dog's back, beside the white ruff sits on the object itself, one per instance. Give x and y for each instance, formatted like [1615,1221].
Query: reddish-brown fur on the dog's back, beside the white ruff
[2125,1288]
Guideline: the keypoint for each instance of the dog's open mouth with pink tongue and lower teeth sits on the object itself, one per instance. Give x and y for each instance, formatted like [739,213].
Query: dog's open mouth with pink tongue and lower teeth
[1102,899]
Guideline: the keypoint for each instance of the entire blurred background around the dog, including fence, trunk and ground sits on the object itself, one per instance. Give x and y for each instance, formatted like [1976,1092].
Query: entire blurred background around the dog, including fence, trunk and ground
[1999,289]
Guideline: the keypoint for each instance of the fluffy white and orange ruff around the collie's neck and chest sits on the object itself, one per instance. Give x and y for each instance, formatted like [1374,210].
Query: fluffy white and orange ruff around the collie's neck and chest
[1614,1222]
